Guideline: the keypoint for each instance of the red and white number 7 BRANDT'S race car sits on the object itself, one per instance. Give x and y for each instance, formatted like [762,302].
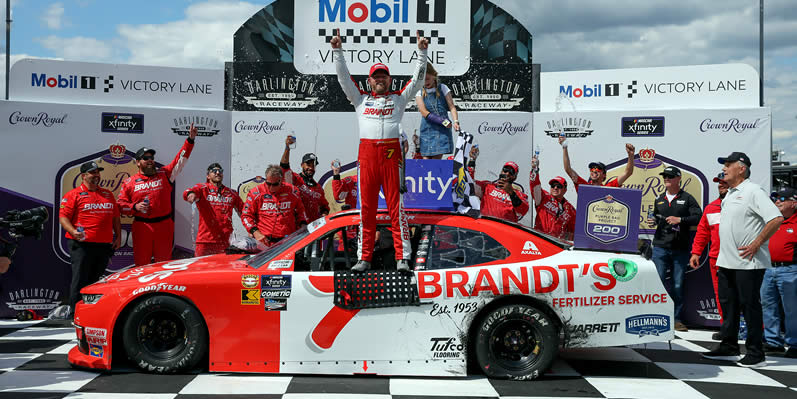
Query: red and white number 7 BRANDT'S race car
[484,292]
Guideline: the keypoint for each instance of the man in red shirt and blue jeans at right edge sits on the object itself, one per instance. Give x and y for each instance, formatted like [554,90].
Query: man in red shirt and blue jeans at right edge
[779,288]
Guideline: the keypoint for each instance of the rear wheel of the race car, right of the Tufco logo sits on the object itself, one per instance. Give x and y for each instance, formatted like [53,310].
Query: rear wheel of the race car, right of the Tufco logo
[517,342]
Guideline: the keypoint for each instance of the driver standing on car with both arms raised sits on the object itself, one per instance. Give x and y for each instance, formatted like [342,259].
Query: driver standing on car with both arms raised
[379,114]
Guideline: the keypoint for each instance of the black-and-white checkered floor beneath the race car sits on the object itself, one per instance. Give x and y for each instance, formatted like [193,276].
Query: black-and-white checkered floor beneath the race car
[33,365]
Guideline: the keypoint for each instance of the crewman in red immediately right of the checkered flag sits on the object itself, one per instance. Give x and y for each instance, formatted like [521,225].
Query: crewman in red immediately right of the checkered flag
[499,198]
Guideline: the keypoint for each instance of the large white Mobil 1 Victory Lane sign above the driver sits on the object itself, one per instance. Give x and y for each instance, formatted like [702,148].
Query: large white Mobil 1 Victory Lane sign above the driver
[381,31]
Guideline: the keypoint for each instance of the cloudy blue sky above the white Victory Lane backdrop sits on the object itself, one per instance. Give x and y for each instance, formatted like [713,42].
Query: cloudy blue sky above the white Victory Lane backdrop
[568,35]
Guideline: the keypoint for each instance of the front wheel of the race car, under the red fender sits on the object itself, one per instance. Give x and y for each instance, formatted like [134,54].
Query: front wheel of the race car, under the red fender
[164,334]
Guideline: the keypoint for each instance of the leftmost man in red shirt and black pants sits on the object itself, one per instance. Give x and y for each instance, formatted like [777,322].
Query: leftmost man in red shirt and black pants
[90,216]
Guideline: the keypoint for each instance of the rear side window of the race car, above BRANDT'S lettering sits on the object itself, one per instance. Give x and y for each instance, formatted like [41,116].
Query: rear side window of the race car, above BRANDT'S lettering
[445,247]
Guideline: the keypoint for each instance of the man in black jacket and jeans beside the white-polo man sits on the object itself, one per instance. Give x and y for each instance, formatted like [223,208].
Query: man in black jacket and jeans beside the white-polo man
[675,212]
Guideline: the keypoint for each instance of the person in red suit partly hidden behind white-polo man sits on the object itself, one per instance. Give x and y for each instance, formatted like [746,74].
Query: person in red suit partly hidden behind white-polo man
[708,230]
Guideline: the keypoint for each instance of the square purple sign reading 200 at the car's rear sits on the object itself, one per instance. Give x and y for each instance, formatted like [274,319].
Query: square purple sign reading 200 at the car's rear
[606,218]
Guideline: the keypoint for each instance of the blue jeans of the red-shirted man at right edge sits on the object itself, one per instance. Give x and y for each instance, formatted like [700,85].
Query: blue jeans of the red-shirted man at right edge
[779,291]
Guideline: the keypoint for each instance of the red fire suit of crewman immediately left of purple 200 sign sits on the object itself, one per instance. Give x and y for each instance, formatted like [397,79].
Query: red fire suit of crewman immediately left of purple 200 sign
[554,218]
